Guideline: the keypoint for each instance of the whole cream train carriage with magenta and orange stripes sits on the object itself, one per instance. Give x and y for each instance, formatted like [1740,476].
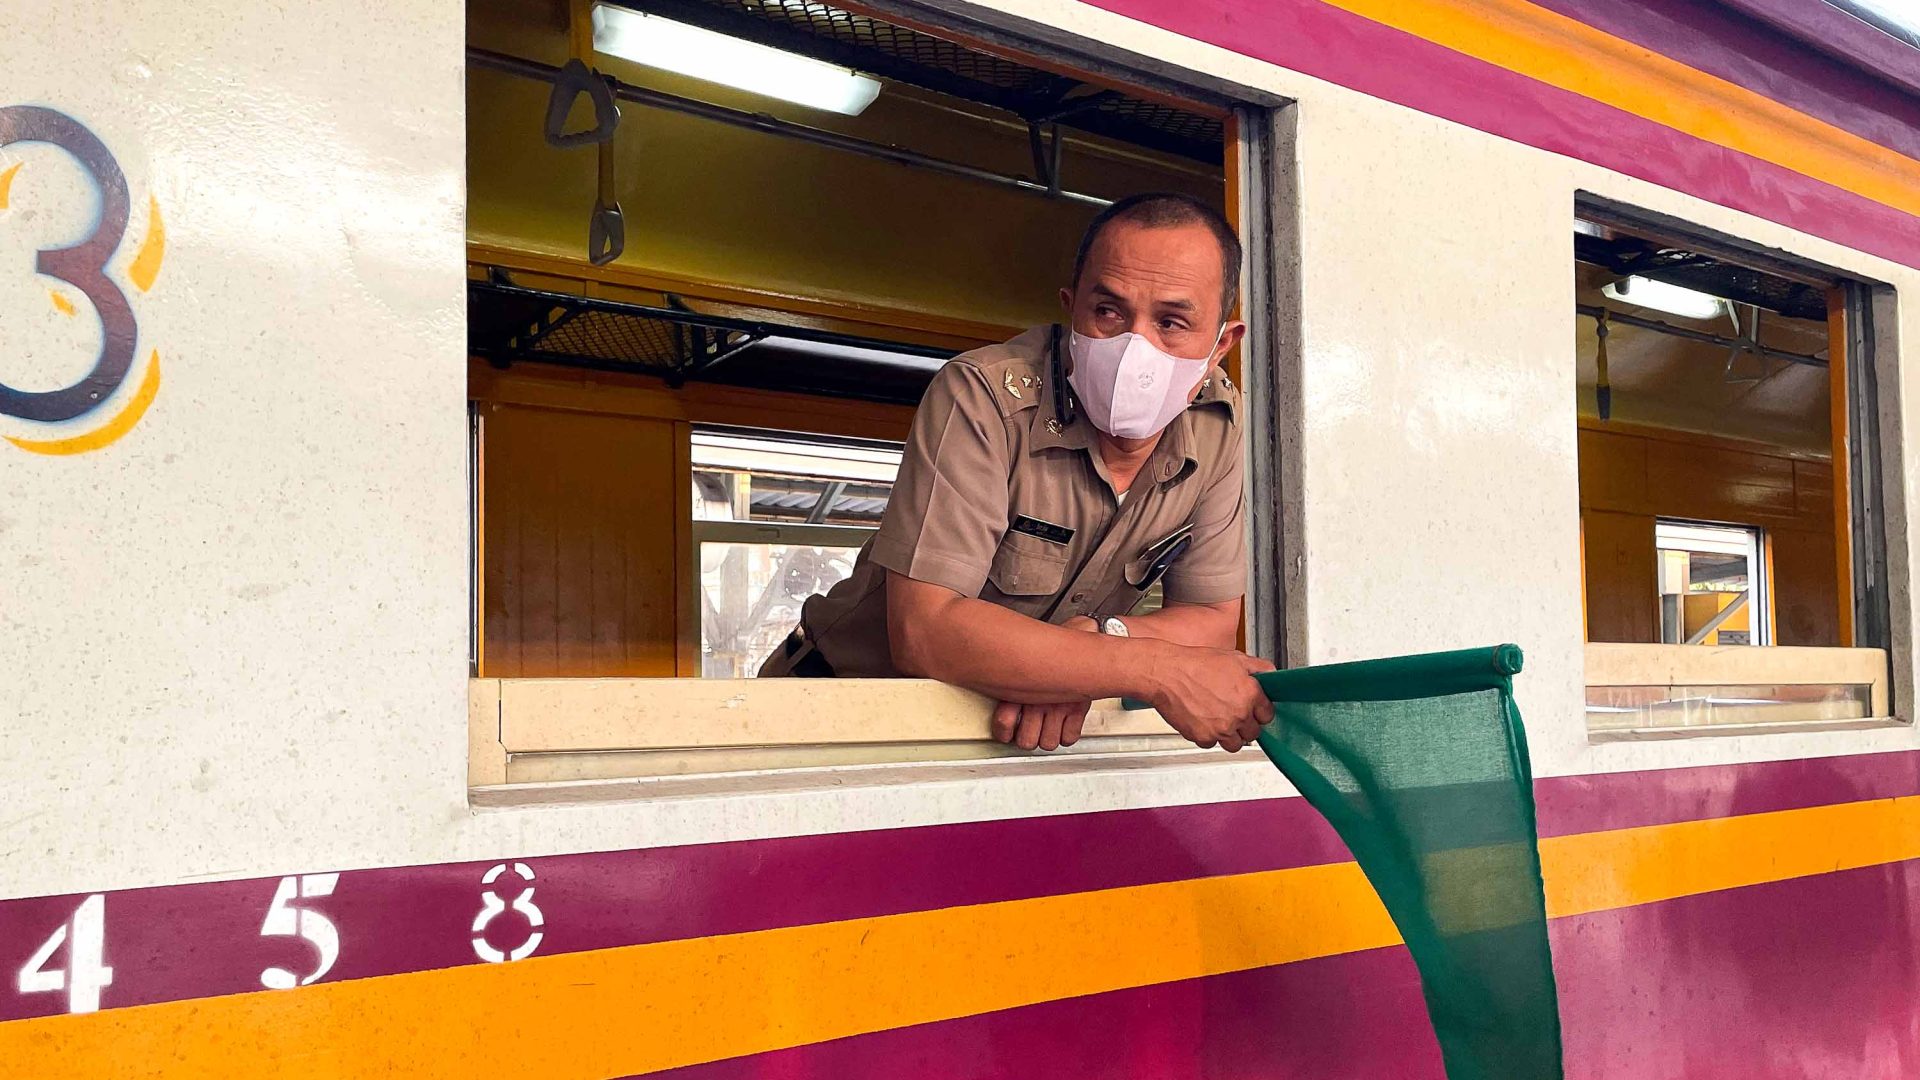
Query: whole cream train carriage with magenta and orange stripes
[421,420]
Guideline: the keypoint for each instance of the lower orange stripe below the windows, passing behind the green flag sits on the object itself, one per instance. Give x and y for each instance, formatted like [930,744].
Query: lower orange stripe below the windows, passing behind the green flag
[648,1008]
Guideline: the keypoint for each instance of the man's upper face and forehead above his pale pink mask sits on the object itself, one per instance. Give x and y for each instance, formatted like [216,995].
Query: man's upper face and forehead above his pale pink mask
[1159,283]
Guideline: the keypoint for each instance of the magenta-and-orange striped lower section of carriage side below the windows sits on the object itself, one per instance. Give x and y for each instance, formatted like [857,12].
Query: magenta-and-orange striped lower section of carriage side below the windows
[850,954]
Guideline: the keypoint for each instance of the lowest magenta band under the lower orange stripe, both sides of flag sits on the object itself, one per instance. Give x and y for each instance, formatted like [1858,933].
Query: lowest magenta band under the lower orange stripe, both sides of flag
[1813,977]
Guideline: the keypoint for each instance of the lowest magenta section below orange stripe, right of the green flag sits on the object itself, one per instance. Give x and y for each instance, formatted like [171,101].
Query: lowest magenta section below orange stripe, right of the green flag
[1812,977]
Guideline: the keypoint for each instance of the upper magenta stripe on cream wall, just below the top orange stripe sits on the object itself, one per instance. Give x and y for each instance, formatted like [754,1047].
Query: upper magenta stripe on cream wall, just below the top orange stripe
[1395,66]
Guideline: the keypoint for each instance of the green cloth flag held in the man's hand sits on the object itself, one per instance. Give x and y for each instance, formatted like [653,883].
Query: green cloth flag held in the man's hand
[1422,768]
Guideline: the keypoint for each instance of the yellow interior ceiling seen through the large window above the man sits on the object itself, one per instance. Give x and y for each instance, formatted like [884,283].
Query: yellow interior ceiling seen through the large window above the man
[729,209]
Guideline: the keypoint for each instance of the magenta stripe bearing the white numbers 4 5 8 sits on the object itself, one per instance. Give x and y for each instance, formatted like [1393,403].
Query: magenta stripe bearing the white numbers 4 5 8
[201,941]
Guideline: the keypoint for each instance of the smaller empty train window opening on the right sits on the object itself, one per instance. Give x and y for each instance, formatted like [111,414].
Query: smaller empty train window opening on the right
[1731,581]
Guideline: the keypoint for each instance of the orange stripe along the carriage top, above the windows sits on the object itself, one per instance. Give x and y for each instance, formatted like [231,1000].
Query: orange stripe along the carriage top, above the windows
[1575,57]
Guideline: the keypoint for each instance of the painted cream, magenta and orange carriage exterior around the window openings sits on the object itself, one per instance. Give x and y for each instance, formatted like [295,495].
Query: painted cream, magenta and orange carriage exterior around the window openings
[235,637]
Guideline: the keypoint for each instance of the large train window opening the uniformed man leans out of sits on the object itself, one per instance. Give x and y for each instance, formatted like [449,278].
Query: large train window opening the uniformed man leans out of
[700,339]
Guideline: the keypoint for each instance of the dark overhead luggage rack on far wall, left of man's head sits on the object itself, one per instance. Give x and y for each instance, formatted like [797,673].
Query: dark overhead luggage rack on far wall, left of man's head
[512,324]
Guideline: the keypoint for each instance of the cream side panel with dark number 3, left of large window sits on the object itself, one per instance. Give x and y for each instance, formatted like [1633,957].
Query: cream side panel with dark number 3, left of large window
[233,639]
